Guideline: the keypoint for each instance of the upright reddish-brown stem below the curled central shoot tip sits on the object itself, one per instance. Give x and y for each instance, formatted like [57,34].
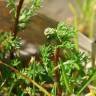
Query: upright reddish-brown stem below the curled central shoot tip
[57,75]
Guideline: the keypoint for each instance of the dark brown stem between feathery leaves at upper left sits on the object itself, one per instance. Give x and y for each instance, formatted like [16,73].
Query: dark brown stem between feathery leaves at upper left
[17,17]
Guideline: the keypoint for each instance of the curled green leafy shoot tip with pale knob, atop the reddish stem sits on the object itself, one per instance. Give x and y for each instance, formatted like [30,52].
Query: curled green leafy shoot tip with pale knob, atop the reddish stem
[62,35]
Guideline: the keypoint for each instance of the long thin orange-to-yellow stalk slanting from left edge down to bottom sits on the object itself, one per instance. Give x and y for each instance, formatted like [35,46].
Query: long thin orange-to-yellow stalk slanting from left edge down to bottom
[27,78]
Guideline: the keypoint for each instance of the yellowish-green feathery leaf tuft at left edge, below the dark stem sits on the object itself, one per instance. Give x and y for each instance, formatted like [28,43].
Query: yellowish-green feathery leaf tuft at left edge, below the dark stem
[7,41]
